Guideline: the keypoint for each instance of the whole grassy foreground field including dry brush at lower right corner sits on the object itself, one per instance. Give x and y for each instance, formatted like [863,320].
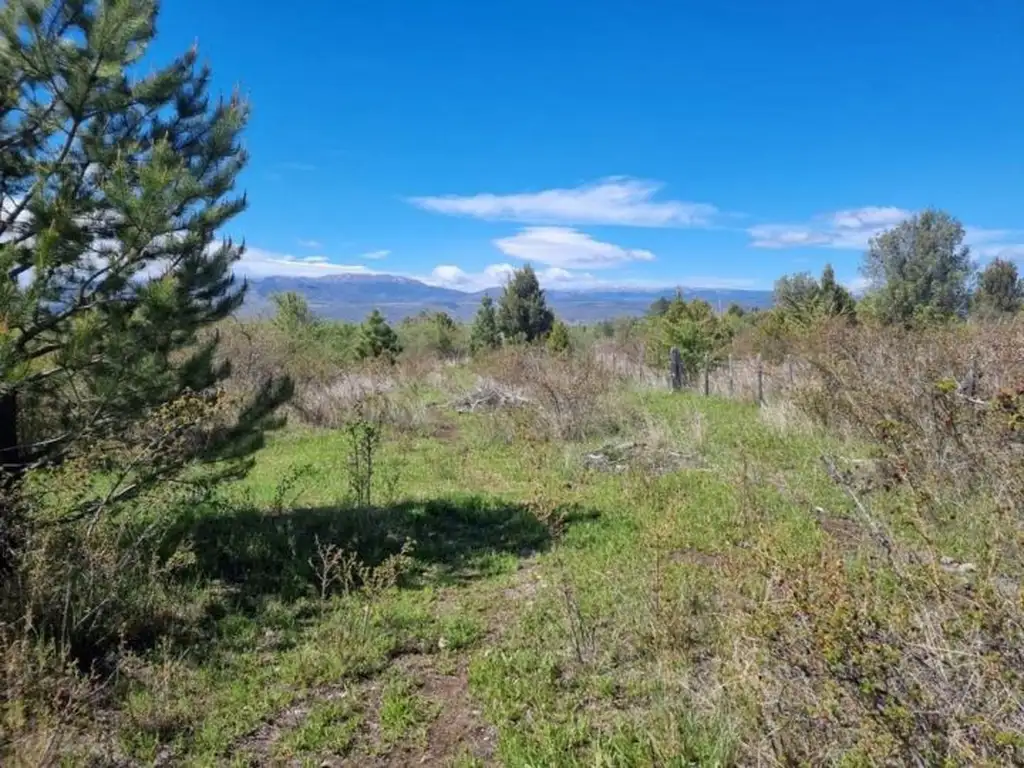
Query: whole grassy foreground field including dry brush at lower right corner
[695,590]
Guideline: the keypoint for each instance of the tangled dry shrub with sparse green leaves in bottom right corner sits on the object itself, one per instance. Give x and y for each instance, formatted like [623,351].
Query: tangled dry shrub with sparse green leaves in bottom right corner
[864,668]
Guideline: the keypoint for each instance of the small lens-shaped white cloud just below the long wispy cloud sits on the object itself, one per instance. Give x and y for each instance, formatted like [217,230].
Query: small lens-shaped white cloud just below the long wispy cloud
[568,248]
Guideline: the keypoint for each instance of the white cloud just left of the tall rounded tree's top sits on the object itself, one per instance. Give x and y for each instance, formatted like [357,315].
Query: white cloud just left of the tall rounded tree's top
[851,229]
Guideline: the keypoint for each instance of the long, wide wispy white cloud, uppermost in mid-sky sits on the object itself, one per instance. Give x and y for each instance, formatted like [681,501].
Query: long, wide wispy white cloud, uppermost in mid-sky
[618,200]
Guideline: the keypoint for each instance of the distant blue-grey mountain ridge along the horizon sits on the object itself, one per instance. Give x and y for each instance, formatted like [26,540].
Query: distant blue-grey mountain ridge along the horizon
[352,297]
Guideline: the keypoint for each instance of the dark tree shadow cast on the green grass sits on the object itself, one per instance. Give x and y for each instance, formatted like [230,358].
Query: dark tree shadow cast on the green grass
[263,556]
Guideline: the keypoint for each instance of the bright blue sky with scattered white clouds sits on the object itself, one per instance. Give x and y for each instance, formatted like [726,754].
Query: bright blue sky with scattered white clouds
[627,144]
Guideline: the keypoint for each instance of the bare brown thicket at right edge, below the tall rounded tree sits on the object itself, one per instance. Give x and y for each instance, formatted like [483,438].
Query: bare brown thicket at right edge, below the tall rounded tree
[944,406]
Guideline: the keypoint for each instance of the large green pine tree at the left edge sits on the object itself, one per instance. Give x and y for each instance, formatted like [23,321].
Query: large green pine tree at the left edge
[114,185]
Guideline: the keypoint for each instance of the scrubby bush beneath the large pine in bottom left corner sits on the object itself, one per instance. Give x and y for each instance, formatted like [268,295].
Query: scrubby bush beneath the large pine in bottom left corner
[83,592]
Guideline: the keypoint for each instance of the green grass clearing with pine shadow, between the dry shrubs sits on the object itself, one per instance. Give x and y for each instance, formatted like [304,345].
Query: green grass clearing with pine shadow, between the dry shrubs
[557,616]
